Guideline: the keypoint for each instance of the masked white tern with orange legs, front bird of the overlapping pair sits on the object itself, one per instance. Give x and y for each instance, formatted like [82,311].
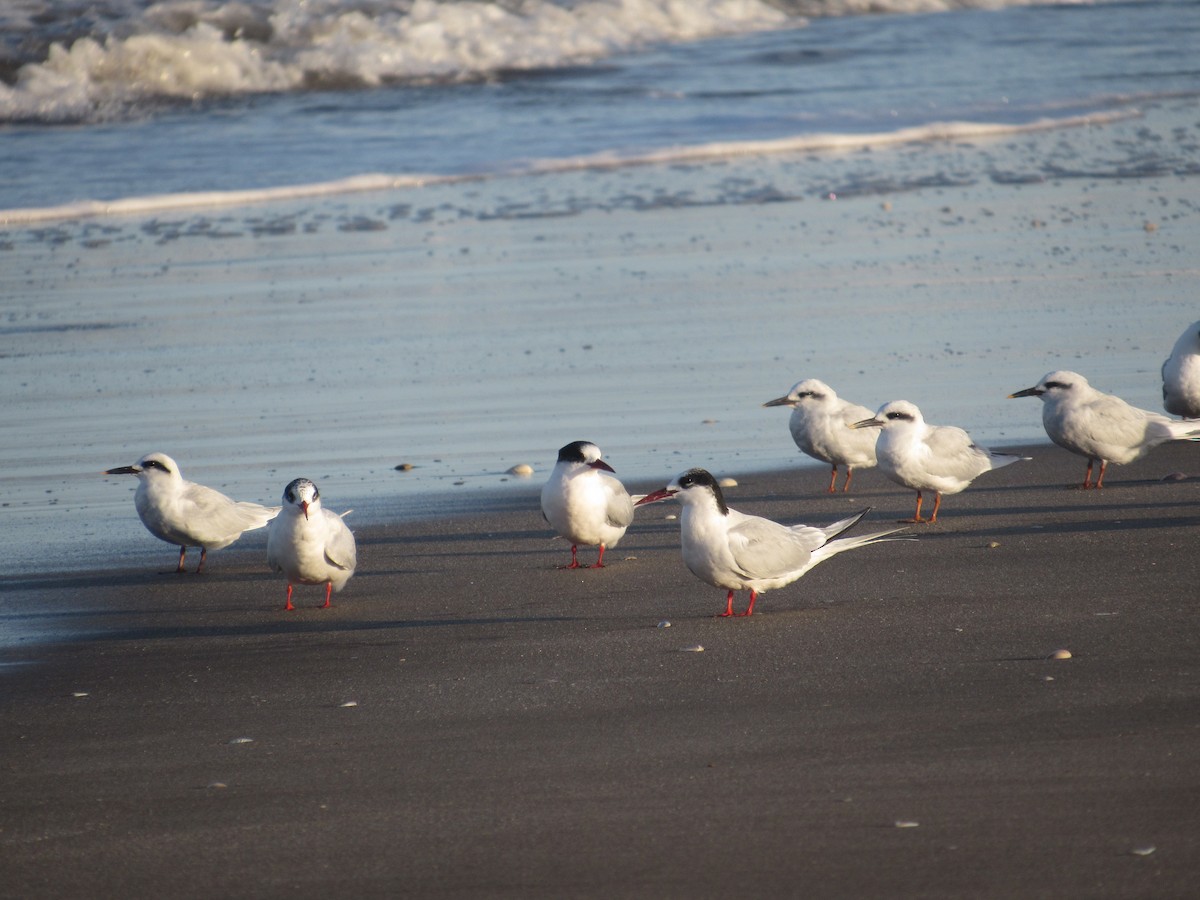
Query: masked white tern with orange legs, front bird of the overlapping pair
[928,458]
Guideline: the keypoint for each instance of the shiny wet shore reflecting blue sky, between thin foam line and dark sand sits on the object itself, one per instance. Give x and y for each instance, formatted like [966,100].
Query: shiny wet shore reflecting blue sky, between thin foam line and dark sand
[466,347]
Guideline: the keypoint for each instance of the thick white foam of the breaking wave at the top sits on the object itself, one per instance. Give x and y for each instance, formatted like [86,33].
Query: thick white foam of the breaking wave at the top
[188,51]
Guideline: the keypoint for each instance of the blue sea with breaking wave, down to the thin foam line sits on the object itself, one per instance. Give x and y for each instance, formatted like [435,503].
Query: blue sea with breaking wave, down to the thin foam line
[118,99]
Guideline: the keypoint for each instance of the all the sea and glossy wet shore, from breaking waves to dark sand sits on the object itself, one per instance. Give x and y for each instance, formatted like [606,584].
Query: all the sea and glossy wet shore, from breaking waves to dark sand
[280,237]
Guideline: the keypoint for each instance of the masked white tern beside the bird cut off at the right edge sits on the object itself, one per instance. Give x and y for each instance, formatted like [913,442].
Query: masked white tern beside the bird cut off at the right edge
[1101,427]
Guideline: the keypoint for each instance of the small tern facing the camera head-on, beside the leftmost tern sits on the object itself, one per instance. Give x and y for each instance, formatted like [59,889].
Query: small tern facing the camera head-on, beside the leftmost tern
[310,545]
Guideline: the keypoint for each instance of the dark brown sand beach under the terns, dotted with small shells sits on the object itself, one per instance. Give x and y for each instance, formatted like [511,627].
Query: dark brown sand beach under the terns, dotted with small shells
[889,727]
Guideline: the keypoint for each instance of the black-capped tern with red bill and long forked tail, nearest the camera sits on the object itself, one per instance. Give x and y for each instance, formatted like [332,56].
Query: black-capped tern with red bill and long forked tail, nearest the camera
[735,551]
